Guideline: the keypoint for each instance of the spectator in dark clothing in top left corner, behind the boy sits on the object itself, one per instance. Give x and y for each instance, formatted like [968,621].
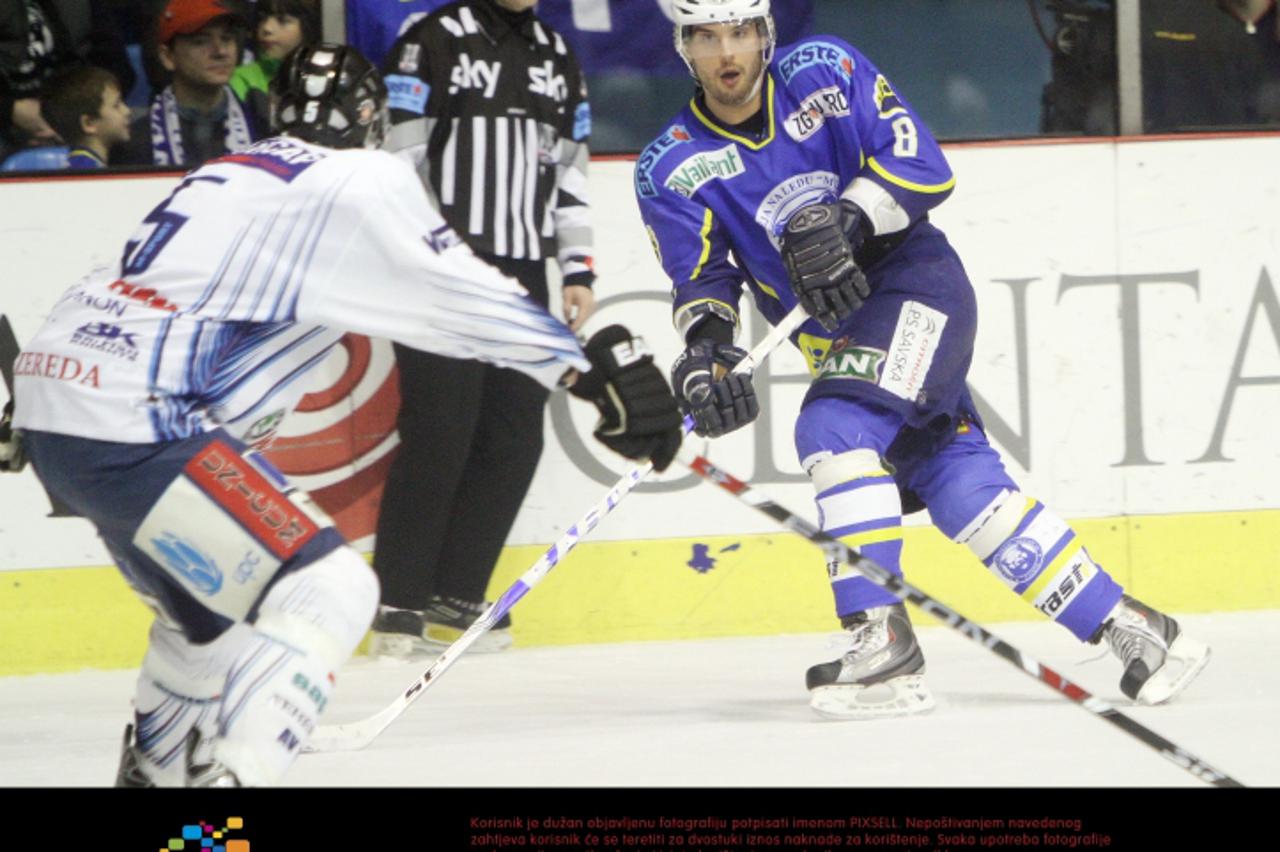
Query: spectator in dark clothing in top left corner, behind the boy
[39,38]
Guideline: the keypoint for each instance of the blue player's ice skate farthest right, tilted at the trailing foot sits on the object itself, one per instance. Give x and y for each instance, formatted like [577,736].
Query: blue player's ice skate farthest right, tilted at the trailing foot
[1160,661]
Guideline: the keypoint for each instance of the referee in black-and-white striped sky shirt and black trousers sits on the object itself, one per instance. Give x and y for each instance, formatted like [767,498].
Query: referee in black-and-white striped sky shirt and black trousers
[491,107]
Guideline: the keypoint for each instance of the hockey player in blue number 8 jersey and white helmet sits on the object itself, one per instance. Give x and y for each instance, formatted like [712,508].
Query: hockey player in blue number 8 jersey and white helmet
[802,175]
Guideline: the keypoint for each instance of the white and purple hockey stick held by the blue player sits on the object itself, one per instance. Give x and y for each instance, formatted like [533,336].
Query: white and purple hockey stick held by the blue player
[358,735]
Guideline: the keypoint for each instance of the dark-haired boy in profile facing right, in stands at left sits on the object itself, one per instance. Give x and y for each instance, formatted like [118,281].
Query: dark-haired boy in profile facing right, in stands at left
[85,107]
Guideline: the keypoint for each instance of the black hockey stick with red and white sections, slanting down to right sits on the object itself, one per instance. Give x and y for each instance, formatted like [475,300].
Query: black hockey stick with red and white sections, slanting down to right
[840,552]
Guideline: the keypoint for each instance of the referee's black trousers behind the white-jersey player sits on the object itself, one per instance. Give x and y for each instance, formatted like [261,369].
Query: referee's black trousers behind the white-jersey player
[472,436]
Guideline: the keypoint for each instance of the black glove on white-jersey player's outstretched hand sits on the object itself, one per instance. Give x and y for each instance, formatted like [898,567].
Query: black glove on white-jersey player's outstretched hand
[639,418]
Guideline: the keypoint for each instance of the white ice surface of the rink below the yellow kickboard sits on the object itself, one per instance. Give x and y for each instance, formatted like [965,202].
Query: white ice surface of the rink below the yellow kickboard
[723,713]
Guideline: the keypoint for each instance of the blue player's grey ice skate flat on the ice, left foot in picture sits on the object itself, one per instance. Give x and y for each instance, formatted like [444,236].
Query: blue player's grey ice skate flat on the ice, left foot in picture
[881,676]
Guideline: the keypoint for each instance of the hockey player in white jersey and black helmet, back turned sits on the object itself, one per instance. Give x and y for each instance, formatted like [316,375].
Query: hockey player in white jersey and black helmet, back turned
[135,400]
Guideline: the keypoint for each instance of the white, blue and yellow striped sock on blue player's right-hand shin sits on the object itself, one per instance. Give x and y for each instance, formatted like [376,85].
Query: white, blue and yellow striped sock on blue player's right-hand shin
[1040,557]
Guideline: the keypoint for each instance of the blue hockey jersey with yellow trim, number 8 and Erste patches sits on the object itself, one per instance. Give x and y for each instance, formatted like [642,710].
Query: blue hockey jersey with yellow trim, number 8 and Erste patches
[715,201]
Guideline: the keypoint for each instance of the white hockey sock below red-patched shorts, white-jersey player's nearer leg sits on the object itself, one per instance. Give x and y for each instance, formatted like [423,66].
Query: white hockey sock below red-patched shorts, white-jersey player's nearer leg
[309,625]
